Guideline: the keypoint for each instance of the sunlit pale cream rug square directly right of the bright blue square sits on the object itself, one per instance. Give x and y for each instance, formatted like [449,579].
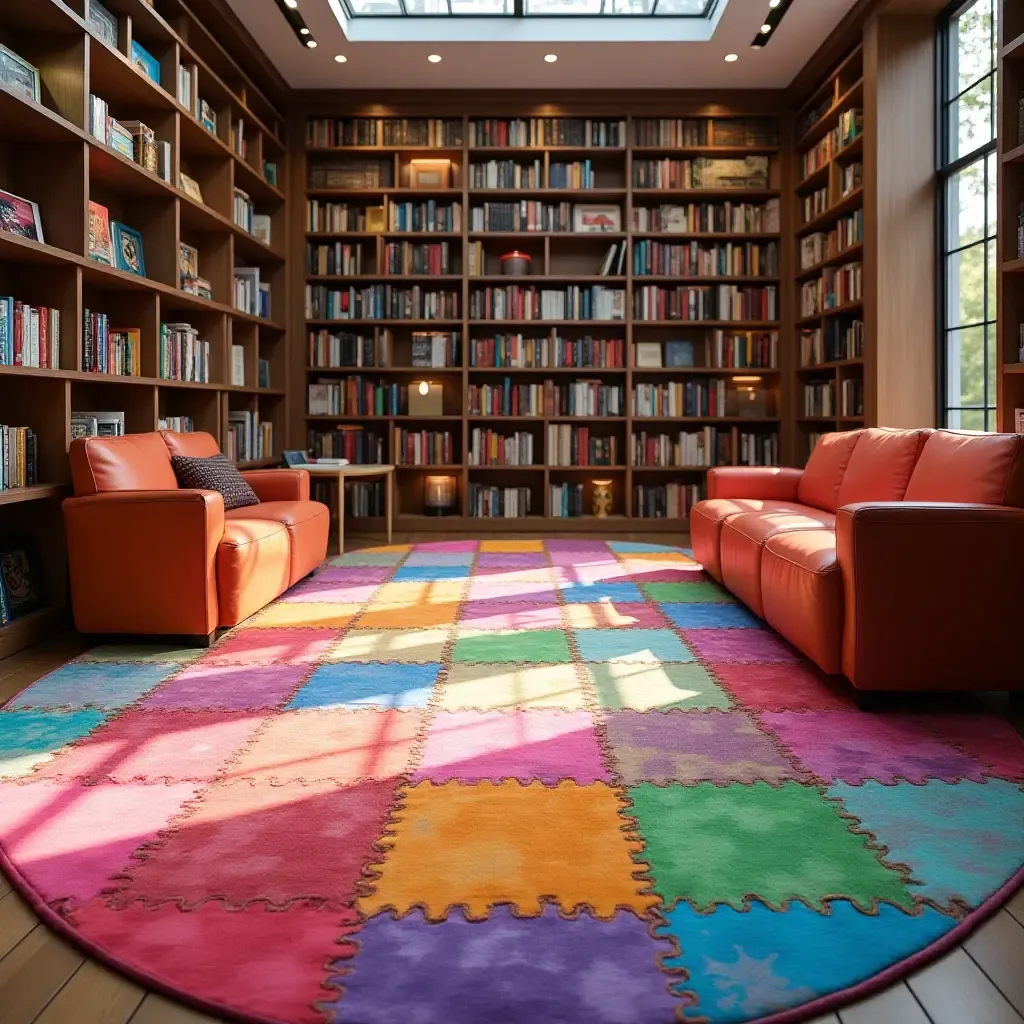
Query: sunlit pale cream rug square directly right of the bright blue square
[508,688]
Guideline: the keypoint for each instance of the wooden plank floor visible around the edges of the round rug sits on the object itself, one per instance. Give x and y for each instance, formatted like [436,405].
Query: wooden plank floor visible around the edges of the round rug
[46,980]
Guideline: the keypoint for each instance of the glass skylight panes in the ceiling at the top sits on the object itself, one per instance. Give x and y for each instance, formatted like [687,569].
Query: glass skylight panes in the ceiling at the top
[528,9]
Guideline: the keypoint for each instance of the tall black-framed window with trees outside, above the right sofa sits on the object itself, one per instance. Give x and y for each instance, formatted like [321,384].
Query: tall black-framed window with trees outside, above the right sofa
[968,215]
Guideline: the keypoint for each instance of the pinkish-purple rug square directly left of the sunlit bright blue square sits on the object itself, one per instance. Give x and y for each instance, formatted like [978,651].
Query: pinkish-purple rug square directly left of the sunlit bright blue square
[228,688]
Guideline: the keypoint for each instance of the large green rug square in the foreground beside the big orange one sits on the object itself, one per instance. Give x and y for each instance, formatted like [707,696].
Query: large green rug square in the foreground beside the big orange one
[757,842]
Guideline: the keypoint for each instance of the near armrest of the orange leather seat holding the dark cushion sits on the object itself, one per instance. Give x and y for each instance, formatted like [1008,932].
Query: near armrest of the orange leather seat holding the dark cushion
[145,562]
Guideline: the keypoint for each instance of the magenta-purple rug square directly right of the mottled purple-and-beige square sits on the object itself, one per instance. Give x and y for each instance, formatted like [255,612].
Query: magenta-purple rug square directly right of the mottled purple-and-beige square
[855,747]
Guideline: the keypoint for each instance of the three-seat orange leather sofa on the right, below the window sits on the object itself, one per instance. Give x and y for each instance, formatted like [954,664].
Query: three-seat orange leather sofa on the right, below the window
[895,559]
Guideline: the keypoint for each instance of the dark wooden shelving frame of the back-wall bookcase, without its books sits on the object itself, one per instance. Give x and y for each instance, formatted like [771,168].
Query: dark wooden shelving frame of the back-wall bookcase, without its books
[561,259]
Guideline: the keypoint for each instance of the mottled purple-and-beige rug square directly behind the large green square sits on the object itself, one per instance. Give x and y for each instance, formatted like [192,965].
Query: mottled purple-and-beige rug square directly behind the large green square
[693,747]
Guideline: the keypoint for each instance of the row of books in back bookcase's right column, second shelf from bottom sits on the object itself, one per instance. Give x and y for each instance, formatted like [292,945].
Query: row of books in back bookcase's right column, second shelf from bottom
[702,449]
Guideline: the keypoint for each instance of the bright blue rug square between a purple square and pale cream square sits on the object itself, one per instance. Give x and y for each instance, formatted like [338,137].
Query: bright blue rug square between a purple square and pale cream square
[351,686]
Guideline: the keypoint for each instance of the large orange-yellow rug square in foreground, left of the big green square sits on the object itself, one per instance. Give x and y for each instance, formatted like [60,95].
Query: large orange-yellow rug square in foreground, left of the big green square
[482,845]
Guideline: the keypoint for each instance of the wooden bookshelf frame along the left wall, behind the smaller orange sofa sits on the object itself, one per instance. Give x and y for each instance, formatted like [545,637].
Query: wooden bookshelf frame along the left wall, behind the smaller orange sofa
[50,156]
